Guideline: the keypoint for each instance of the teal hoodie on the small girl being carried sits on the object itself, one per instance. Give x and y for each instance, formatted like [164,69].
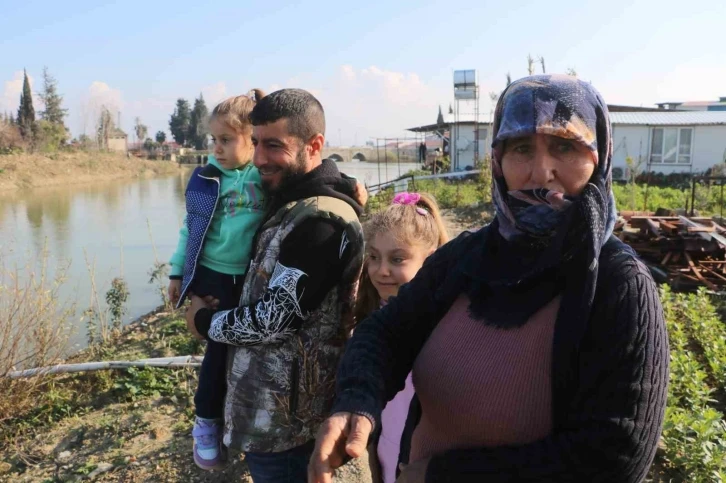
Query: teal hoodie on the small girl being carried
[240,209]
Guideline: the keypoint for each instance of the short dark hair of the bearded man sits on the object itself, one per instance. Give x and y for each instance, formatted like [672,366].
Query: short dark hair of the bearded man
[304,113]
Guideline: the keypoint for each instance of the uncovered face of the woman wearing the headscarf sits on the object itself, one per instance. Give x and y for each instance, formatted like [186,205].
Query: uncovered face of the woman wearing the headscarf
[545,161]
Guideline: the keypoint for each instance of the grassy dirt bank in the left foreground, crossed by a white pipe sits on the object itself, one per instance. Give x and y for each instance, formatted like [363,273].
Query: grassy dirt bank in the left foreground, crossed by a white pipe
[121,425]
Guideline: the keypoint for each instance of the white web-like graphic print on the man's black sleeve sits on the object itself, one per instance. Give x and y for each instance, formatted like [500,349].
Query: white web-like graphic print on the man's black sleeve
[273,315]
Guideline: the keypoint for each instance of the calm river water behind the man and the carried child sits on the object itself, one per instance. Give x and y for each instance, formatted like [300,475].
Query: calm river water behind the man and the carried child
[118,228]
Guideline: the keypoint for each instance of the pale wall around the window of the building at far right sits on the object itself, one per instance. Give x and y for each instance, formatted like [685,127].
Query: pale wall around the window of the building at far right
[709,146]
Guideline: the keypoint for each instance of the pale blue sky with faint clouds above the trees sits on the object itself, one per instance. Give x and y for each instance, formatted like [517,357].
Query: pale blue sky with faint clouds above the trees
[377,66]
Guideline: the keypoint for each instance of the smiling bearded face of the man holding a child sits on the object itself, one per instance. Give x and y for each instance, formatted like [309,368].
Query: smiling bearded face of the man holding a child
[280,157]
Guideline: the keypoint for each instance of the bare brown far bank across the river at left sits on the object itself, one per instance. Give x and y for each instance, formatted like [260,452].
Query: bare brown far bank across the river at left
[23,171]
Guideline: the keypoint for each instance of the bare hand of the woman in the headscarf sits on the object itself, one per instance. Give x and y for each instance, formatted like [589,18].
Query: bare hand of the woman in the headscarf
[341,433]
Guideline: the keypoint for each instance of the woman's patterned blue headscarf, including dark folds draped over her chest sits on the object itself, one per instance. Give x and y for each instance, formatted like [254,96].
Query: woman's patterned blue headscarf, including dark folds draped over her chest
[545,235]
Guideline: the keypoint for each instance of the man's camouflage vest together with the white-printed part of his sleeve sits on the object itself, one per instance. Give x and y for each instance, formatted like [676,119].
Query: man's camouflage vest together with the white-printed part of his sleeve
[281,376]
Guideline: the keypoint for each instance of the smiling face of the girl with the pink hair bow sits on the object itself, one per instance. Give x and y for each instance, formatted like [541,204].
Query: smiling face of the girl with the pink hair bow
[392,263]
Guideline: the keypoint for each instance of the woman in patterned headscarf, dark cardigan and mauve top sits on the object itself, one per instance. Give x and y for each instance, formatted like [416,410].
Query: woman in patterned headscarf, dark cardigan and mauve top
[537,344]
